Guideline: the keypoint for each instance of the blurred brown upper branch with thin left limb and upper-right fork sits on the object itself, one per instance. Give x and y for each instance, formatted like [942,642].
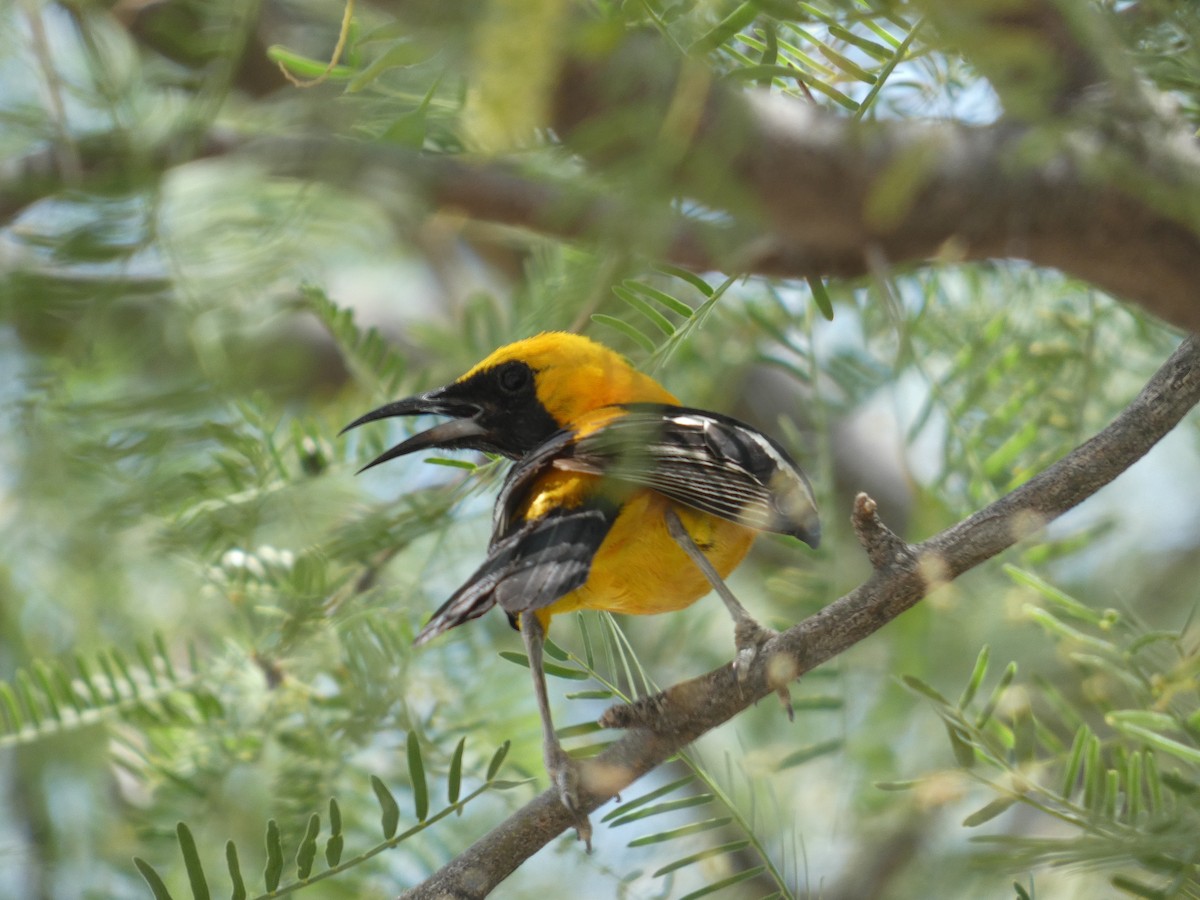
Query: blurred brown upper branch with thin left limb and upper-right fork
[1109,195]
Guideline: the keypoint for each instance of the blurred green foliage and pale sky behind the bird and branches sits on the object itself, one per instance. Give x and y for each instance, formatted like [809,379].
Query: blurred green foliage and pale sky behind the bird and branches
[207,619]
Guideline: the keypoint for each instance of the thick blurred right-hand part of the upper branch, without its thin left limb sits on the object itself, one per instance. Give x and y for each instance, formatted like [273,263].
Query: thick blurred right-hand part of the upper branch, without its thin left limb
[1112,202]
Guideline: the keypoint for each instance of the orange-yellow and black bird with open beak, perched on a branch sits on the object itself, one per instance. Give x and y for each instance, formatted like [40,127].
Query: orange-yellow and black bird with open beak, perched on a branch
[620,500]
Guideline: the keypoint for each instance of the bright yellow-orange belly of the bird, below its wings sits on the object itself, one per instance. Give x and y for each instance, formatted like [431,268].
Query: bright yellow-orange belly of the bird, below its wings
[640,569]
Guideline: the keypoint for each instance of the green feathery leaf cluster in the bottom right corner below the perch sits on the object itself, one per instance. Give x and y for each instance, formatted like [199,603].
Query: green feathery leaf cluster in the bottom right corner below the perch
[1118,759]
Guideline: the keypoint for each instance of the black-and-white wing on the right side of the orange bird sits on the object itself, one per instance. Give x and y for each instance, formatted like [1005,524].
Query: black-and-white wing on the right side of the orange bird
[709,461]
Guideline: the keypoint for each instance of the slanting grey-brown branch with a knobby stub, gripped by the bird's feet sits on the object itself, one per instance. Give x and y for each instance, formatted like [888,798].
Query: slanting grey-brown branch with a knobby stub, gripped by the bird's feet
[903,575]
